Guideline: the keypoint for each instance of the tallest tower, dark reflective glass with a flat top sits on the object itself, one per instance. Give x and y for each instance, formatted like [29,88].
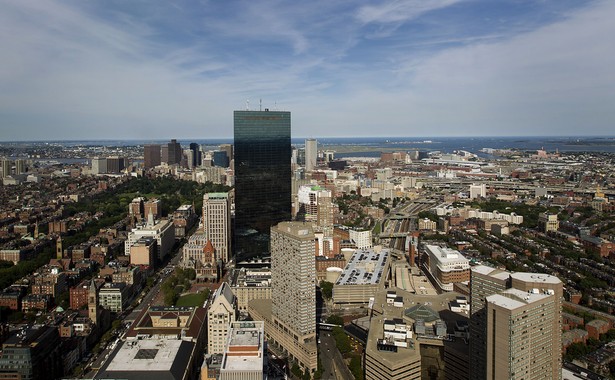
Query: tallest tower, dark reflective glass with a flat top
[262,177]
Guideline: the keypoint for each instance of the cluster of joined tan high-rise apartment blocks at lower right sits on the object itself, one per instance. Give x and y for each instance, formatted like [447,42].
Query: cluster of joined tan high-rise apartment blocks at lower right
[515,325]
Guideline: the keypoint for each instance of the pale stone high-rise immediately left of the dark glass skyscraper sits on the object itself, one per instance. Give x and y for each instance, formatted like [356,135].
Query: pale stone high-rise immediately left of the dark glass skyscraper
[217,223]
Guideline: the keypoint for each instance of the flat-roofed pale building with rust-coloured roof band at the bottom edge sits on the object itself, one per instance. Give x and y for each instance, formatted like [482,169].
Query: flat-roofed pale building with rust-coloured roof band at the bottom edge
[244,354]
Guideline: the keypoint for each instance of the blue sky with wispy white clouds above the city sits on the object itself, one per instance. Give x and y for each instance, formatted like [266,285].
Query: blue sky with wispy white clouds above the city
[142,69]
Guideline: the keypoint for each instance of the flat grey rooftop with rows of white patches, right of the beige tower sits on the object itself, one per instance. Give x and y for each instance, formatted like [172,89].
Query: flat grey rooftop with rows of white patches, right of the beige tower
[365,267]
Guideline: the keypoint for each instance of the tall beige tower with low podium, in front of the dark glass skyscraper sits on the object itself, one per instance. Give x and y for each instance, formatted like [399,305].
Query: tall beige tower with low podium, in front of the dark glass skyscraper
[290,316]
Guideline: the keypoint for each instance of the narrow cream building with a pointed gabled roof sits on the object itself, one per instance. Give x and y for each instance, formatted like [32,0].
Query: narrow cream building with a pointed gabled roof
[220,314]
